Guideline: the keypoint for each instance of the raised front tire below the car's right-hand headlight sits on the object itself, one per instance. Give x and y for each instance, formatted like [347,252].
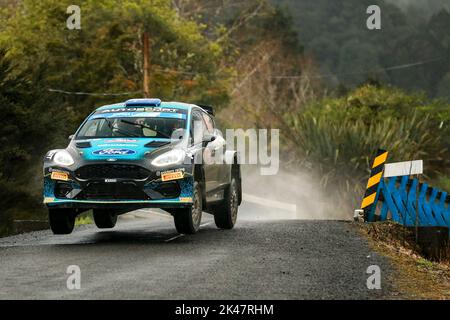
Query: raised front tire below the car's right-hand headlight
[187,220]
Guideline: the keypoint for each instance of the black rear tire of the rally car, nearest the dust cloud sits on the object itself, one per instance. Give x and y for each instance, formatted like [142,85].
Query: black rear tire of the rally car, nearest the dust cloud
[225,214]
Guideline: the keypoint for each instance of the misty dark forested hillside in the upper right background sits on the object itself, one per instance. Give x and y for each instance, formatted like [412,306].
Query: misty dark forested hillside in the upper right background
[334,33]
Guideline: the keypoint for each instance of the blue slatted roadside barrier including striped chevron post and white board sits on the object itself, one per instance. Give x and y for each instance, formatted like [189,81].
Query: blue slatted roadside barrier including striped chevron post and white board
[404,200]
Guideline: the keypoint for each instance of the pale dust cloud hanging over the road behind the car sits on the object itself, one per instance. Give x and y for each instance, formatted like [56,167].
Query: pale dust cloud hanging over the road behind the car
[286,195]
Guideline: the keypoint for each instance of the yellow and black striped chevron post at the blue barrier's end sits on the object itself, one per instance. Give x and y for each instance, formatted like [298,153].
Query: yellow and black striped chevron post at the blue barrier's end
[374,181]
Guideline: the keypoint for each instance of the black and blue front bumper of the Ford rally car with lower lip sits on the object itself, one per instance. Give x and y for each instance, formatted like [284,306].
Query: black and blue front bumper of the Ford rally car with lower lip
[117,193]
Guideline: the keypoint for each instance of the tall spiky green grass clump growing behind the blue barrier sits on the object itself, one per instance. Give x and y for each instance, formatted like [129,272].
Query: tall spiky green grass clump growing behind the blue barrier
[340,152]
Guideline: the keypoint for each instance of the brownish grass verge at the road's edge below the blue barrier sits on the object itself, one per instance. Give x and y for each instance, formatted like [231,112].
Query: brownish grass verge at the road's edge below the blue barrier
[415,276]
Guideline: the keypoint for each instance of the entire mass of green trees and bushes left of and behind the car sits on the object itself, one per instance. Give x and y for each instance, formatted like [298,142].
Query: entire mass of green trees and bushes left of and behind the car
[105,56]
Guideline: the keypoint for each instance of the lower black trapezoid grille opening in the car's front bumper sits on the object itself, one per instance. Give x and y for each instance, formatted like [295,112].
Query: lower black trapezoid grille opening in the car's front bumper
[112,191]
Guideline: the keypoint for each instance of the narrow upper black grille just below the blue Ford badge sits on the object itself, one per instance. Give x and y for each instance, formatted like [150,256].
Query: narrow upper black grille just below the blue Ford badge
[112,171]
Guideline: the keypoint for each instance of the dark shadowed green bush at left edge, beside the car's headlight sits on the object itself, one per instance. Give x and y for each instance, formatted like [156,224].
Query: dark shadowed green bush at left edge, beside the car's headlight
[26,119]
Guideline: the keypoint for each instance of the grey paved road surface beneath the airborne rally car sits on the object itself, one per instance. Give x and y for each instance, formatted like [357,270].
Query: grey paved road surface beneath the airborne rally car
[144,258]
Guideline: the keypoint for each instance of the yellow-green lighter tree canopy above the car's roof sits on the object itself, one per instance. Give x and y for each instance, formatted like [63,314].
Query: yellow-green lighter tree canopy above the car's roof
[105,55]
